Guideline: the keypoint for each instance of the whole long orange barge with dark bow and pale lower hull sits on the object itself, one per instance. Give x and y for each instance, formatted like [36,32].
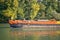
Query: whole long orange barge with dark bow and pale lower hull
[33,23]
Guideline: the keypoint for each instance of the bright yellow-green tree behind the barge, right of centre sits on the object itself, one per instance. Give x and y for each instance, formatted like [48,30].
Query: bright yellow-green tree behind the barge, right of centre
[35,8]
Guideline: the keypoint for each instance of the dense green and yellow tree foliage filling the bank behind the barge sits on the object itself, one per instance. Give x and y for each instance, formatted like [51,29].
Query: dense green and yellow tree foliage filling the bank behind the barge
[29,9]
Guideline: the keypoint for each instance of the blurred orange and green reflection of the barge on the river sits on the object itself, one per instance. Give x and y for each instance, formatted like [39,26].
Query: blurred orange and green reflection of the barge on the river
[16,34]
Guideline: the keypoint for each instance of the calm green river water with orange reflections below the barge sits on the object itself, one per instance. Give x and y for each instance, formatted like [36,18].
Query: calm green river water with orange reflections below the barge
[29,33]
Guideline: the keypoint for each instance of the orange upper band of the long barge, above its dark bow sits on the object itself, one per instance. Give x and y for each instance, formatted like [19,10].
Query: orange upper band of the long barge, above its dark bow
[33,22]
